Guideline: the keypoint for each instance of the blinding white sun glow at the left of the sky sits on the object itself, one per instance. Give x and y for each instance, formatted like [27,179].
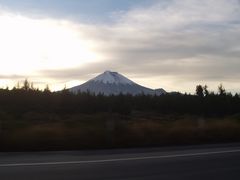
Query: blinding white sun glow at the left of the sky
[28,46]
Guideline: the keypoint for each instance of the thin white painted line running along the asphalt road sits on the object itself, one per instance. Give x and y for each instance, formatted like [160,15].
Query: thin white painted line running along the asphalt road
[119,159]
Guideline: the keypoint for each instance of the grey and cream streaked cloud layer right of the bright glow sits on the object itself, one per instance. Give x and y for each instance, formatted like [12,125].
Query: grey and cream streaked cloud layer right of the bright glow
[171,44]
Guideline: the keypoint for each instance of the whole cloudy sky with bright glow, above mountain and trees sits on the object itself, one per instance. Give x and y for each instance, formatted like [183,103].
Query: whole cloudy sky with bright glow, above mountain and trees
[168,44]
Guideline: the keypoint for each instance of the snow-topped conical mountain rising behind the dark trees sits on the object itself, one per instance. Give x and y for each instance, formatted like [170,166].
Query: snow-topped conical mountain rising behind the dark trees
[113,83]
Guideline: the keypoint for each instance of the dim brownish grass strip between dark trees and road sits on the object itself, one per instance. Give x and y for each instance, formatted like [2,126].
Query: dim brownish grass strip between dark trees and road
[44,131]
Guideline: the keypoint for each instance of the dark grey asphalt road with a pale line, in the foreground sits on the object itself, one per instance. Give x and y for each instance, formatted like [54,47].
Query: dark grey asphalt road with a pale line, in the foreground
[189,162]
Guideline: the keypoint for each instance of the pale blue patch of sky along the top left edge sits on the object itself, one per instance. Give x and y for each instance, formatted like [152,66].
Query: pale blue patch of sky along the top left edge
[91,11]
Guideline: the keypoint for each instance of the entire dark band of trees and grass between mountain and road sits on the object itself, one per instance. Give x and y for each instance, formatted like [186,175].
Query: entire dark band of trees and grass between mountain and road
[31,119]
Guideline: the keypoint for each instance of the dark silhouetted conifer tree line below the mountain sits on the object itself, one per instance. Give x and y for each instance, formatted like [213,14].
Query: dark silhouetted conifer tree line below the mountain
[26,98]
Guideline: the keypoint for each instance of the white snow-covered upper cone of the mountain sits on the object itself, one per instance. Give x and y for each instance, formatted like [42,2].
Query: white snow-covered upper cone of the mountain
[109,77]
